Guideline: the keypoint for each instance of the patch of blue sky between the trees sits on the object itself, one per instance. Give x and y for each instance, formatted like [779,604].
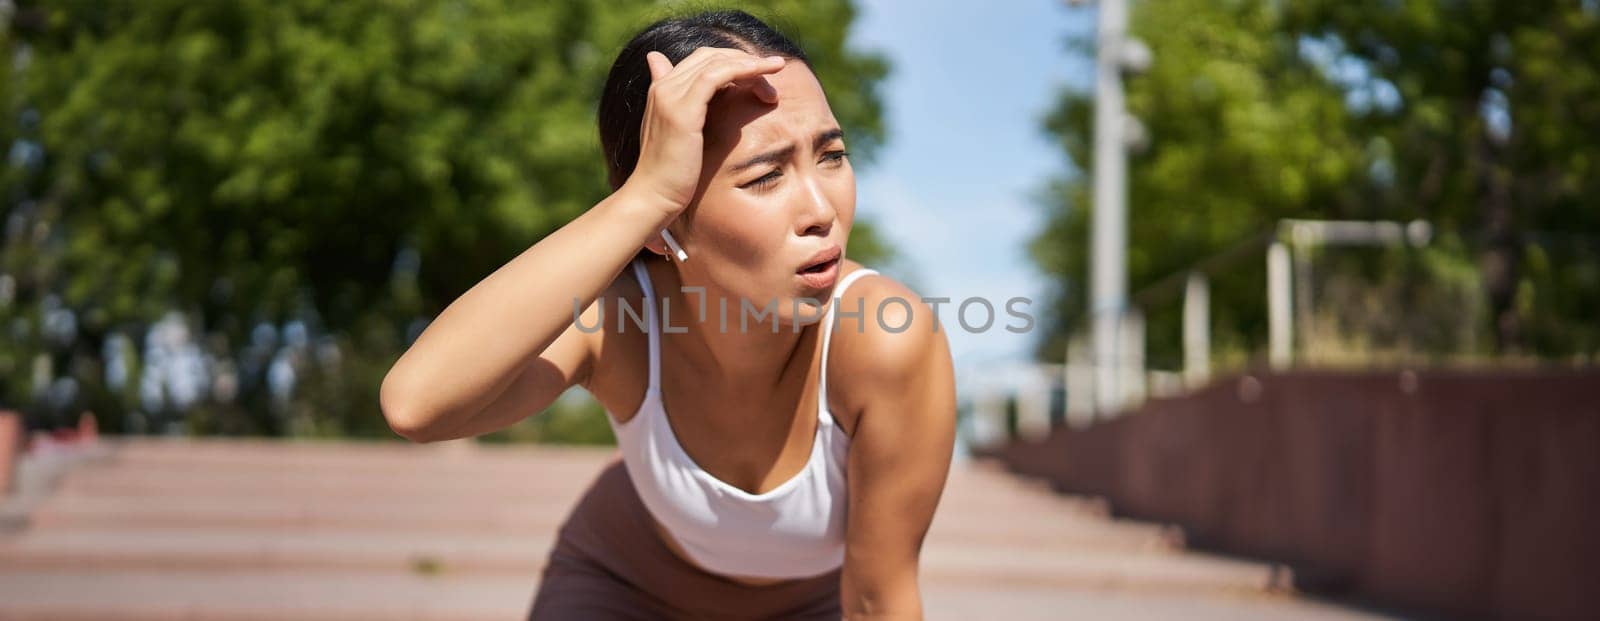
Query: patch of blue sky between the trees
[953,188]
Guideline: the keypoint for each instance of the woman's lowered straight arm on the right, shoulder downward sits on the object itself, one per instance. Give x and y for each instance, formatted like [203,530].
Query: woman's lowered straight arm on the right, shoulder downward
[903,390]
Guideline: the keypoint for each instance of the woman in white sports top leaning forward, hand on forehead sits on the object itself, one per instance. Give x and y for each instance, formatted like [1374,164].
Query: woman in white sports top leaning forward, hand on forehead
[799,468]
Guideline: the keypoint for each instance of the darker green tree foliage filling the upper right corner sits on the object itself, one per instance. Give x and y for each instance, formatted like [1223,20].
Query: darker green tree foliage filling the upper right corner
[1490,132]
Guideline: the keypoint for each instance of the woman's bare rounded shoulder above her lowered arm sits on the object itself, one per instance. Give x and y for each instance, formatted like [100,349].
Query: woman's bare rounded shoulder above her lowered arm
[895,343]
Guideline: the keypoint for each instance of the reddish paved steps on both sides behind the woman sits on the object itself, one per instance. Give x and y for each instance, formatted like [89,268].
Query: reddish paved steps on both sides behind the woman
[278,531]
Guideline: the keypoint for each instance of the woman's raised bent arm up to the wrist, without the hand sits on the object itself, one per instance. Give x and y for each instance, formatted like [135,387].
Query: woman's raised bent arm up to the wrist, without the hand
[514,331]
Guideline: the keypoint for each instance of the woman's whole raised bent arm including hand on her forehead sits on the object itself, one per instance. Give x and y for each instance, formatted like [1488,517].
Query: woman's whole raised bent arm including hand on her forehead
[508,347]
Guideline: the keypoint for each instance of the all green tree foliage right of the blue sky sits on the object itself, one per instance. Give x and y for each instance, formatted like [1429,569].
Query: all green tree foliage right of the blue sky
[1463,114]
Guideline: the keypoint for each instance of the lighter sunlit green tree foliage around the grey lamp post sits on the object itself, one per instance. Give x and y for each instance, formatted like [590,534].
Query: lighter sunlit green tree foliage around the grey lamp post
[1244,132]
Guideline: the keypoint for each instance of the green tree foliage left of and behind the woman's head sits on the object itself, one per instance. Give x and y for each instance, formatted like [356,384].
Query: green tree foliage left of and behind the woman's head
[353,166]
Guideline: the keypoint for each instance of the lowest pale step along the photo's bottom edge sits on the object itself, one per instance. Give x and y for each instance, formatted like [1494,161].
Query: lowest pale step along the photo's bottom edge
[350,596]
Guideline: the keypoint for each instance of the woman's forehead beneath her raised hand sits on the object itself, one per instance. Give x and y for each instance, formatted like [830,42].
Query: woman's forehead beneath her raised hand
[738,122]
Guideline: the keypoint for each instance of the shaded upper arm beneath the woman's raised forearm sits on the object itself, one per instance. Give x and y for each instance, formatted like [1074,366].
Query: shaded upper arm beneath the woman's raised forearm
[567,363]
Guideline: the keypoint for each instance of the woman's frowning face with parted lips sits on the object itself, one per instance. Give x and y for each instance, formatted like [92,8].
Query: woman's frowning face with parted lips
[777,190]
